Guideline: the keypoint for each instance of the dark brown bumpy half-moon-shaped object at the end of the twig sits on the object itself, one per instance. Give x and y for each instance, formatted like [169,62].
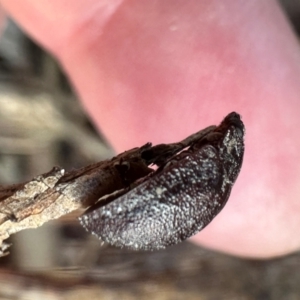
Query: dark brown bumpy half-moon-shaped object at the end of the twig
[178,200]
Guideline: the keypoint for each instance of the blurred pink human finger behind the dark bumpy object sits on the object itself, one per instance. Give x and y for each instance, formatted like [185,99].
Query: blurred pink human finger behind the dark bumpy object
[160,70]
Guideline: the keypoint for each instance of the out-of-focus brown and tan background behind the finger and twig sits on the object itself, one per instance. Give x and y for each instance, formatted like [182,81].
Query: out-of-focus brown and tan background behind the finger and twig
[43,125]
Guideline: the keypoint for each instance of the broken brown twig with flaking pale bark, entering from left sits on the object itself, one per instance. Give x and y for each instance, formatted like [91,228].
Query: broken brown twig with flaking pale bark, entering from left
[56,193]
